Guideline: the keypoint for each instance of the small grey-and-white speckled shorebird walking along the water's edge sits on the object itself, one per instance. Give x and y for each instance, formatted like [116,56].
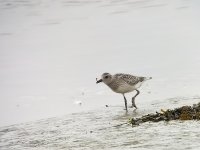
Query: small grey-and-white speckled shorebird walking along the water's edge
[123,83]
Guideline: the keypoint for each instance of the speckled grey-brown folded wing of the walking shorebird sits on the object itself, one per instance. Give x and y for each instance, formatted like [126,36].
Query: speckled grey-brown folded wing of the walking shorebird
[130,79]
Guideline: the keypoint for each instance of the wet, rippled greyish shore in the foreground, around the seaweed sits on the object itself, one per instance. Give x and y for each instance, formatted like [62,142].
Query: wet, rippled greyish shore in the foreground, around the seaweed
[105,128]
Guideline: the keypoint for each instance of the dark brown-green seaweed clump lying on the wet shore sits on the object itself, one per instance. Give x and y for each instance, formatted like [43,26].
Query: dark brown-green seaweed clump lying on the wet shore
[182,113]
